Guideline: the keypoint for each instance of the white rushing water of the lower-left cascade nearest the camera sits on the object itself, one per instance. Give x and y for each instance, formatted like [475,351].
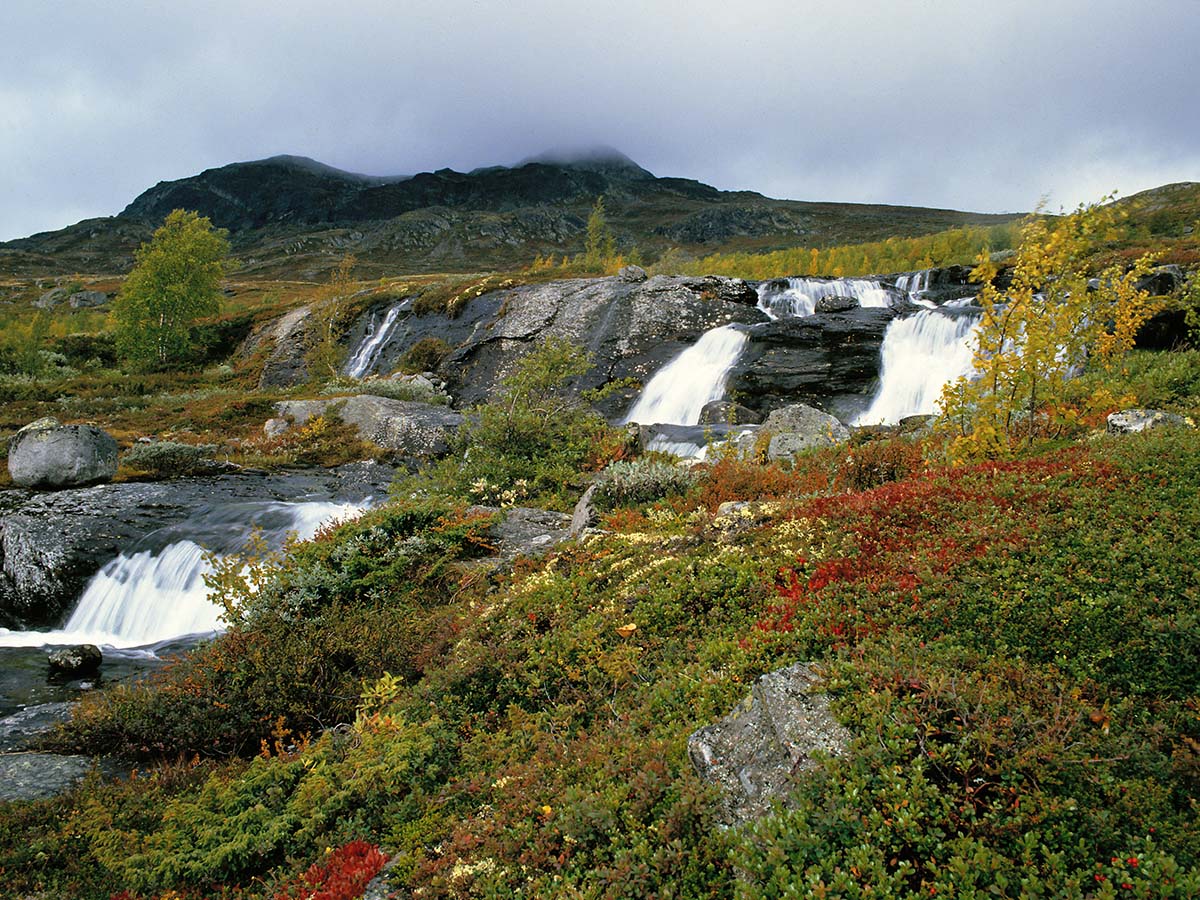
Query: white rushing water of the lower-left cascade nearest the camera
[147,597]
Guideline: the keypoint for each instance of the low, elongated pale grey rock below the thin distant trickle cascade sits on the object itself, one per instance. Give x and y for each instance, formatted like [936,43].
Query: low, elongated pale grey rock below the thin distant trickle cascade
[406,428]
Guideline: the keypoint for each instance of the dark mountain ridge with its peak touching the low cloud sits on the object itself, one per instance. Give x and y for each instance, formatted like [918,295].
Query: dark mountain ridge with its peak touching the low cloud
[291,217]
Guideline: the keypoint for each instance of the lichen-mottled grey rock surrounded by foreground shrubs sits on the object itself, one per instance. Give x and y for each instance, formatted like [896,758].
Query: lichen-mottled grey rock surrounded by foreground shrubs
[754,754]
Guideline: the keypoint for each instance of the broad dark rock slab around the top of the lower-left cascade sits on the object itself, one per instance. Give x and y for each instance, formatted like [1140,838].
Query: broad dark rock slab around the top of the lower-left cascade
[51,544]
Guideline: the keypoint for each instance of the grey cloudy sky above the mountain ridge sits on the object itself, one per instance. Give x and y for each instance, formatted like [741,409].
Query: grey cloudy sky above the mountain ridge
[983,106]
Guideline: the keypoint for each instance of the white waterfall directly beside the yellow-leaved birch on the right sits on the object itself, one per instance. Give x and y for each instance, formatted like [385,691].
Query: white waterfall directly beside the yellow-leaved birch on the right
[921,355]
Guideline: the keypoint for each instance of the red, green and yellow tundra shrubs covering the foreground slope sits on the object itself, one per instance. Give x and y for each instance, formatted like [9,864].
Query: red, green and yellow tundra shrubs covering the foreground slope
[1012,637]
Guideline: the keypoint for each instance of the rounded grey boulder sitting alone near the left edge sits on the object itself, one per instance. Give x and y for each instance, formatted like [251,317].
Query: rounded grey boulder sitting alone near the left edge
[49,454]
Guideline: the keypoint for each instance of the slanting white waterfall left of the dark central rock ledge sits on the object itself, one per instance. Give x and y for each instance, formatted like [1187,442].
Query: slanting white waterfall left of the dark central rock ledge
[681,389]
